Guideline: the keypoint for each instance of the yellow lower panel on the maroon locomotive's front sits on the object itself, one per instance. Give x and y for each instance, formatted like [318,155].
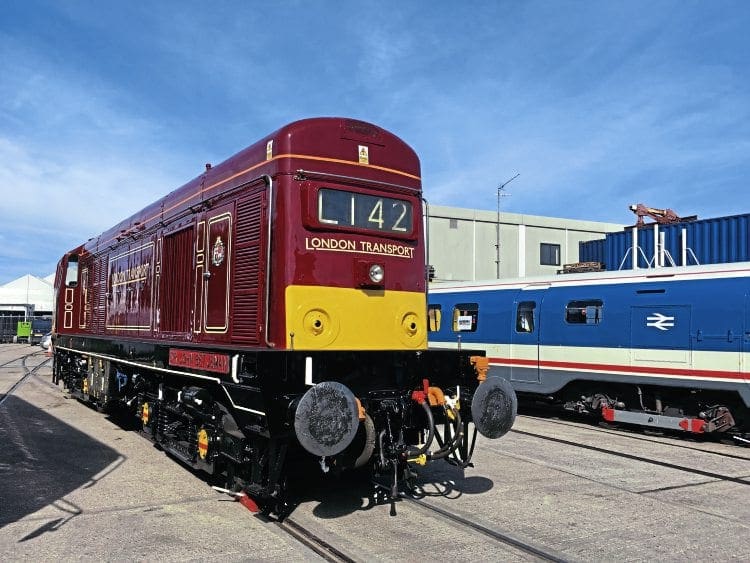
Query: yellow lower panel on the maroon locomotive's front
[333,318]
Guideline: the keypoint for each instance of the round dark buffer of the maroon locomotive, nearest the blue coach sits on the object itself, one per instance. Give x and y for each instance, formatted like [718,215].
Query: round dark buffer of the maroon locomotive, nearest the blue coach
[493,407]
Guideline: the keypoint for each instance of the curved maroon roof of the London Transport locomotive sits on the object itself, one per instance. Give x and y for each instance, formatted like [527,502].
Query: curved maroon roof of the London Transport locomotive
[315,139]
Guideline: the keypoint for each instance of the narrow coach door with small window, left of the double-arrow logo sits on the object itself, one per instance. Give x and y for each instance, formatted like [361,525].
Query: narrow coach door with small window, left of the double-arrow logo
[524,340]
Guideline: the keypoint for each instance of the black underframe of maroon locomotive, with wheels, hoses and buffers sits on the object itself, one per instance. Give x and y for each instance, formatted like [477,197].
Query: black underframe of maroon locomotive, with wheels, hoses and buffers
[370,408]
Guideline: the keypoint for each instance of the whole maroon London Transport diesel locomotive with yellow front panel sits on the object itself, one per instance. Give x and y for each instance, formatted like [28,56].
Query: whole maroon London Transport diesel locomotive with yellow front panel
[275,307]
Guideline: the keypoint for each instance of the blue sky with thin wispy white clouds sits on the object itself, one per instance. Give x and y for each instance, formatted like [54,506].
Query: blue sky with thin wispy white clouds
[106,106]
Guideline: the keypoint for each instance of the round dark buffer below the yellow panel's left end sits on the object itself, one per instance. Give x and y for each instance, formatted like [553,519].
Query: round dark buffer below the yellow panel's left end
[326,419]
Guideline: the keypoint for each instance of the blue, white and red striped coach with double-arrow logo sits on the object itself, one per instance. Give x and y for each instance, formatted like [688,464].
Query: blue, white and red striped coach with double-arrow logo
[668,349]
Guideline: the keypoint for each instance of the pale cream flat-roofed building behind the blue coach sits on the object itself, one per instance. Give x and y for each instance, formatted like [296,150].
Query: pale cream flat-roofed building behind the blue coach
[469,244]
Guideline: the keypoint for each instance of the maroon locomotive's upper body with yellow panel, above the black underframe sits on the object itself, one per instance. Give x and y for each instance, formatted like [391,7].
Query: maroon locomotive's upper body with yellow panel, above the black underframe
[130,273]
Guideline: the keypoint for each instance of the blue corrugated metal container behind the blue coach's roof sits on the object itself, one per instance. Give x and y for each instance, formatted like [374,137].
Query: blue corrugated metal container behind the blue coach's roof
[710,241]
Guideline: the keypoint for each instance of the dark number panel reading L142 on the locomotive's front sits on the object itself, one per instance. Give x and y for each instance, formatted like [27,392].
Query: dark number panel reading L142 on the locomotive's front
[338,208]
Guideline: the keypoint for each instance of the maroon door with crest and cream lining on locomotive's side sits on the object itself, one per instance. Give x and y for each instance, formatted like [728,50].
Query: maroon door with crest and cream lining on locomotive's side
[214,269]
